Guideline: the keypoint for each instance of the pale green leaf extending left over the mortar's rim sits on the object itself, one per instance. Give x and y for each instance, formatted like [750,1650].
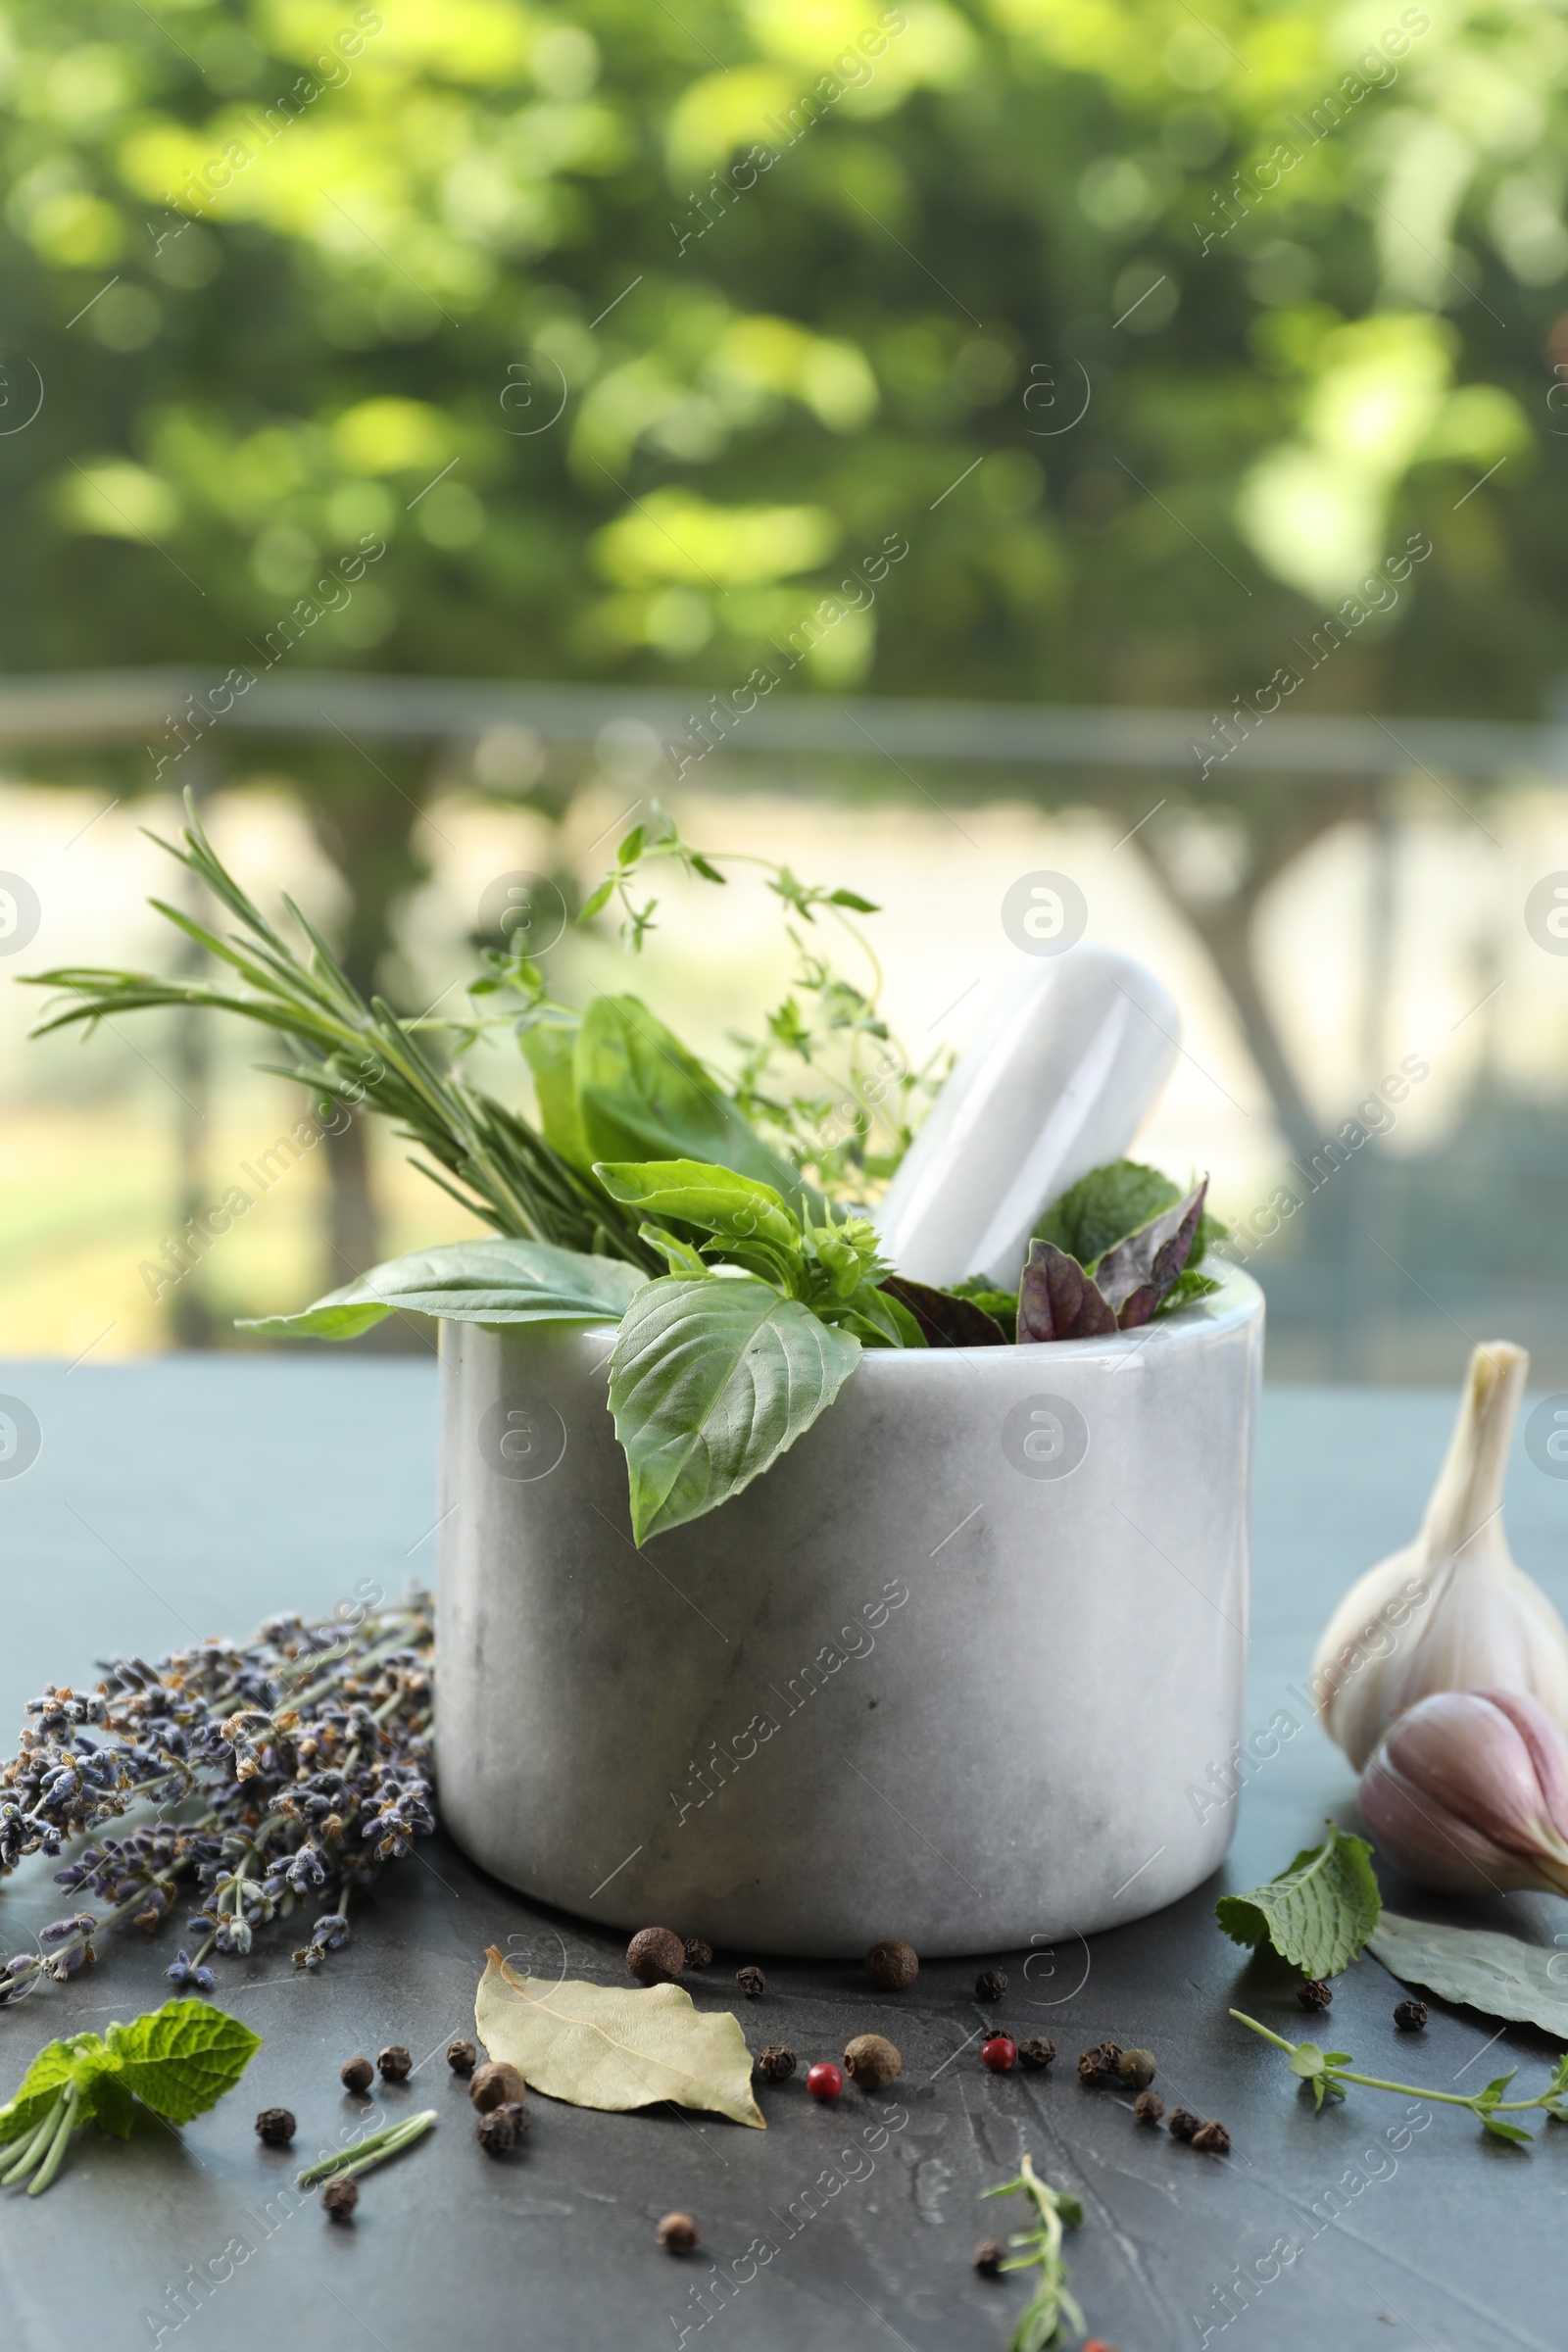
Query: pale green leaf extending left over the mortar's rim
[488,1281]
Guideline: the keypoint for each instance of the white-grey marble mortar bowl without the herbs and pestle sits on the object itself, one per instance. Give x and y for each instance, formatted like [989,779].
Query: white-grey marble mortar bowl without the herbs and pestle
[946,1673]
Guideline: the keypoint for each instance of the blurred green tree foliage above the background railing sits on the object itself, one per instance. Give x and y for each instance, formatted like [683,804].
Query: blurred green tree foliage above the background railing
[634,328]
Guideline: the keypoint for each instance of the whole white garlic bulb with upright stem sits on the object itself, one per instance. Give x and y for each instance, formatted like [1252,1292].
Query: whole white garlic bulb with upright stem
[1449,1612]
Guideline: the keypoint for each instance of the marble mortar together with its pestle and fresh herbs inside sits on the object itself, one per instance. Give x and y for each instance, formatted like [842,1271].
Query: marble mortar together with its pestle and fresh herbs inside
[683,1304]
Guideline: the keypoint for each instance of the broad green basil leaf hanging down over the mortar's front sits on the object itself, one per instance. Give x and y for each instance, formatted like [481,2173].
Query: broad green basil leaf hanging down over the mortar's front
[711,1382]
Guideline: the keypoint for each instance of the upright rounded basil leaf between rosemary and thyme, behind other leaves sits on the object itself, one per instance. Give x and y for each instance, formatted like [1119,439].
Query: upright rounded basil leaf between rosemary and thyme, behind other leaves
[645,1097]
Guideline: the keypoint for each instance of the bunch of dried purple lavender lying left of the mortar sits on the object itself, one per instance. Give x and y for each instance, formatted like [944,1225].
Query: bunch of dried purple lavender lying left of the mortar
[286,1772]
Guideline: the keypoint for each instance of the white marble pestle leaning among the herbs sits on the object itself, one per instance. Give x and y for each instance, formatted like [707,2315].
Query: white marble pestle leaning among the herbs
[1057,1083]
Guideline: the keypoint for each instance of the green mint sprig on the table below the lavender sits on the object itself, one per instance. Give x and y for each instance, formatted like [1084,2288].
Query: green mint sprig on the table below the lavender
[177,2062]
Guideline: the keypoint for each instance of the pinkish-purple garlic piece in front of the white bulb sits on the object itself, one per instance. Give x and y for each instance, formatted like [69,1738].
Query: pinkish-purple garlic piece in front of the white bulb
[1468,1793]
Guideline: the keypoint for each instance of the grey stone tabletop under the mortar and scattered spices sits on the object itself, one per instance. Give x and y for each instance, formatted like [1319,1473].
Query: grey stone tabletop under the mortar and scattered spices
[203,1495]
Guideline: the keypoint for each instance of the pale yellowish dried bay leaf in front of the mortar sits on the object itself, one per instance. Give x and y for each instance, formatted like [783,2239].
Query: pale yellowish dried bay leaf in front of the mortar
[603,2047]
